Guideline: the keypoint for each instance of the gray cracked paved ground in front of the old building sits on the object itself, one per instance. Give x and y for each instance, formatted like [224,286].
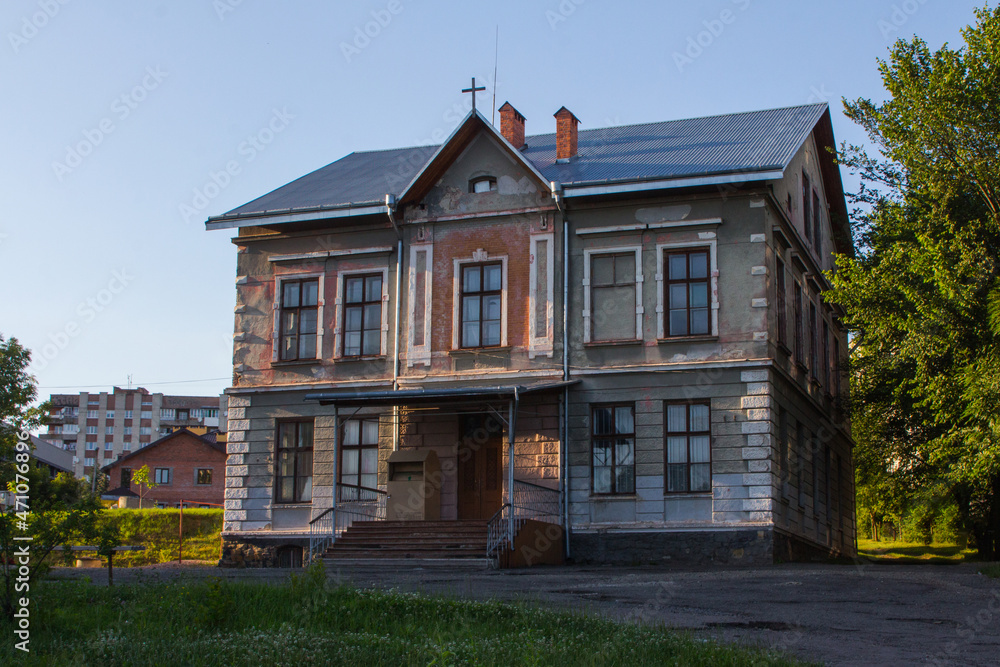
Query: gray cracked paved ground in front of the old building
[833,614]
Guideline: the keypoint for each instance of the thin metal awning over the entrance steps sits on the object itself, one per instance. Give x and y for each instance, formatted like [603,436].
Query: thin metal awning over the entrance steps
[451,394]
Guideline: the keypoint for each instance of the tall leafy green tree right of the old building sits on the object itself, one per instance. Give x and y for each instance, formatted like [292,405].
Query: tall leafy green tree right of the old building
[923,295]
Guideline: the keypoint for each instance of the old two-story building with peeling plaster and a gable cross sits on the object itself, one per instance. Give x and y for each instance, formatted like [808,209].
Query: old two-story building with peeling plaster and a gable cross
[616,333]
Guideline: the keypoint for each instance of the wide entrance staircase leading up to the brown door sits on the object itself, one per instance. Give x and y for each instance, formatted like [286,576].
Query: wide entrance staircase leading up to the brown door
[410,539]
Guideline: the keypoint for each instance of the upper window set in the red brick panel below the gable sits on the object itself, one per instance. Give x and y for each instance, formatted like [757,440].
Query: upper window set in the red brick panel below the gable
[481,304]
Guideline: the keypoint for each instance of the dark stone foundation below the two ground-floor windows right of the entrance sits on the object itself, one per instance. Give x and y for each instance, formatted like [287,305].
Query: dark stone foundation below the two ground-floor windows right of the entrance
[730,547]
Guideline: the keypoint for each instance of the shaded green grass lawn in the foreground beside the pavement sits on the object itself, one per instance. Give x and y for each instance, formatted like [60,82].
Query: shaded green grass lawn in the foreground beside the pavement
[309,622]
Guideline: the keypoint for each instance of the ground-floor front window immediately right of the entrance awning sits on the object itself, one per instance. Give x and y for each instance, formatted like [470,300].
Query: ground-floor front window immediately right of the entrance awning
[613,447]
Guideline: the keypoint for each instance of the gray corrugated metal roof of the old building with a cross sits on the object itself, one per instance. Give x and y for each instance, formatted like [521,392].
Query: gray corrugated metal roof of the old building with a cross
[756,141]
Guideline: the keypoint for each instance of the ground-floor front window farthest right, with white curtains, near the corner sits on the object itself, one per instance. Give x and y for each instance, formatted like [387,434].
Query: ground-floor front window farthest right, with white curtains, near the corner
[689,450]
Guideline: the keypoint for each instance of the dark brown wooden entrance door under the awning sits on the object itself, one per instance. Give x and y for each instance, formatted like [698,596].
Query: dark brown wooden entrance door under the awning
[480,467]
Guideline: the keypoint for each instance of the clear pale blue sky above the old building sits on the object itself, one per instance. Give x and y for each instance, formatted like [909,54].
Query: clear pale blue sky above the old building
[115,112]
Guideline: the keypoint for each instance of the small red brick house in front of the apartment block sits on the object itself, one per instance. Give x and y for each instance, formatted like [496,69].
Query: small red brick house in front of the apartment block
[184,466]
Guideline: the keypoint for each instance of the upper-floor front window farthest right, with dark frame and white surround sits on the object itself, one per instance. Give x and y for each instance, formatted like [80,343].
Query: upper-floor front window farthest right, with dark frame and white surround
[687,293]
